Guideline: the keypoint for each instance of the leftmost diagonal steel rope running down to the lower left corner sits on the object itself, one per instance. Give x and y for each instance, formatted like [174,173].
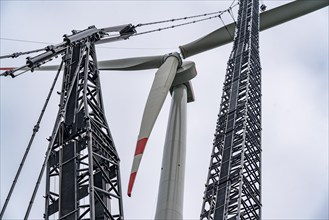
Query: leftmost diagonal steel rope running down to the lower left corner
[35,130]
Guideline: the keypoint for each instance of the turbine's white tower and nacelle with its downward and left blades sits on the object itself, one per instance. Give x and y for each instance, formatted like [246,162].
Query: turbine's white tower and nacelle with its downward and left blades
[173,75]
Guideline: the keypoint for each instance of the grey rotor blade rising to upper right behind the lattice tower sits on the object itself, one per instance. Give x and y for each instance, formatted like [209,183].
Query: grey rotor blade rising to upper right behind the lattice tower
[268,19]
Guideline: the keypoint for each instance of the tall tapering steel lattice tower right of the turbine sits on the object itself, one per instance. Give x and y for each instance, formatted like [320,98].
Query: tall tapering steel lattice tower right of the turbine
[233,188]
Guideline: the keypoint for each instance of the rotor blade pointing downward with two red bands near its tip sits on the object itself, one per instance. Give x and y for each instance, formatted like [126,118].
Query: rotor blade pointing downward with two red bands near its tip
[159,90]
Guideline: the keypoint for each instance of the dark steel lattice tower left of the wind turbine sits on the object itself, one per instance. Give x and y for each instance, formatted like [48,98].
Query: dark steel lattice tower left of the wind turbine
[83,177]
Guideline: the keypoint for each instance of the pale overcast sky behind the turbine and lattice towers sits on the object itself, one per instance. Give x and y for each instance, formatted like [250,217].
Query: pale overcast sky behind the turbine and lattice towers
[294,59]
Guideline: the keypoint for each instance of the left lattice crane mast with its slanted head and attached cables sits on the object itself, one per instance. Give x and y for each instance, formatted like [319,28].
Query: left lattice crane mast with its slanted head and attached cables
[74,133]
